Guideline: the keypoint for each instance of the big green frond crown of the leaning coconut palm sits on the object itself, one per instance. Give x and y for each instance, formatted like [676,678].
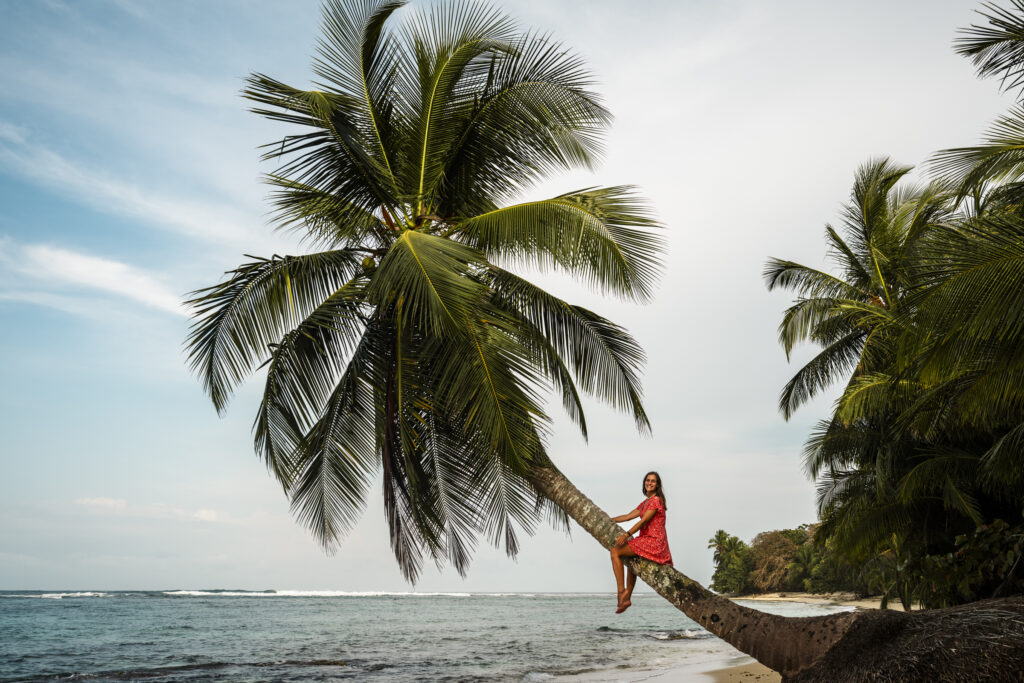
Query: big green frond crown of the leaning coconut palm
[404,346]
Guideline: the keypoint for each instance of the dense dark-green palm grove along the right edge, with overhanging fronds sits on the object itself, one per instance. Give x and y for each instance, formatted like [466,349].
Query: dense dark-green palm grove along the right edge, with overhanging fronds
[924,322]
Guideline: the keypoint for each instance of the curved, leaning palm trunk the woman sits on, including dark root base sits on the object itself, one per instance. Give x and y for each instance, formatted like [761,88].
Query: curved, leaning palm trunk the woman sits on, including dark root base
[980,642]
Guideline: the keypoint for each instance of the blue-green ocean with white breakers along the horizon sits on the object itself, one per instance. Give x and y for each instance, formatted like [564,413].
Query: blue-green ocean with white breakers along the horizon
[226,635]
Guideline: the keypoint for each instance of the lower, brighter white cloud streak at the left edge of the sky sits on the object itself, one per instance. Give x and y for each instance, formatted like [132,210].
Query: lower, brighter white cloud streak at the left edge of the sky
[68,268]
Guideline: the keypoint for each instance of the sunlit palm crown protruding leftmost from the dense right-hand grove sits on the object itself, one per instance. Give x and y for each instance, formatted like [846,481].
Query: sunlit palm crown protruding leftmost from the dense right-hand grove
[854,316]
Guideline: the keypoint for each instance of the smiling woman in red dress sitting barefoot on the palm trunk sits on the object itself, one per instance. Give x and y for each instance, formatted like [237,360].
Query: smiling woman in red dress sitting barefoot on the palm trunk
[652,543]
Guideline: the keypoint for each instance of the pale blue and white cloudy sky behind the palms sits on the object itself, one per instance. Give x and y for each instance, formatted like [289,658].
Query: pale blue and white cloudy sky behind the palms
[131,176]
